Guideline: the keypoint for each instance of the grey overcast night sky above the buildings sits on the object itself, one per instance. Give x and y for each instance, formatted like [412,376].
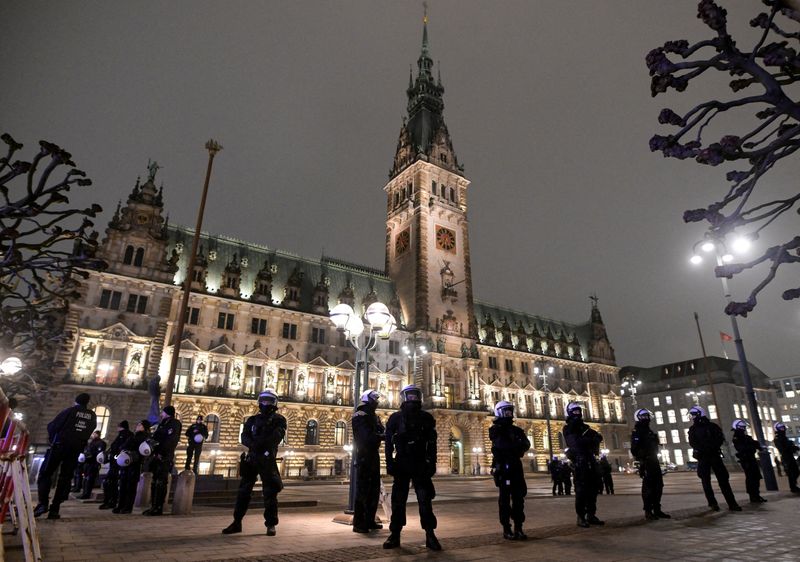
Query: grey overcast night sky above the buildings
[548,106]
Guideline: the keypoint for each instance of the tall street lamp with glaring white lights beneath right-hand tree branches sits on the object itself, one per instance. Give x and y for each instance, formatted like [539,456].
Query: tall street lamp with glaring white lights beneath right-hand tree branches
[717,245]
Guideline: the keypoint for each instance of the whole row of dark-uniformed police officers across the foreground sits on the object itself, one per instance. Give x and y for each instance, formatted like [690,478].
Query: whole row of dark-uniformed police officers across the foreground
[409,440]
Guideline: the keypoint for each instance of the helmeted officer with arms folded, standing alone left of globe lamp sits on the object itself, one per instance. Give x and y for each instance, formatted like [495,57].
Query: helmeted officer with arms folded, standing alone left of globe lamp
[262,434]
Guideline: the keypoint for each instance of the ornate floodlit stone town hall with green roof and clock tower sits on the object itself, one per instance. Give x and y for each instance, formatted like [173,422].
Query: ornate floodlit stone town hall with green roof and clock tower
[257,319]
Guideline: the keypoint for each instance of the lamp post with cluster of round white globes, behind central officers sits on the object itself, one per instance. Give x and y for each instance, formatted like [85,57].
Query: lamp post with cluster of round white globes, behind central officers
[380,325]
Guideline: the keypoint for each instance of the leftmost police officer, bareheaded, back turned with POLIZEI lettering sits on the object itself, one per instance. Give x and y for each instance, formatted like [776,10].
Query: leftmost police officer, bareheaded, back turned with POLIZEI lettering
[67,433]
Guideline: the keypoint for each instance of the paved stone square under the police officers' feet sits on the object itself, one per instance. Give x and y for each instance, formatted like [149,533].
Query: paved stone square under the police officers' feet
[468,529]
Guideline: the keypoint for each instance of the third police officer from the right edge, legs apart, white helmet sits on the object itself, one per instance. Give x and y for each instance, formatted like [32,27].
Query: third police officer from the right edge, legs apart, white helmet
[706,438]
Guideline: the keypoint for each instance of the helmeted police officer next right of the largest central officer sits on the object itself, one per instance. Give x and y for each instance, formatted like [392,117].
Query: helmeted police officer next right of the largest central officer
[509,443]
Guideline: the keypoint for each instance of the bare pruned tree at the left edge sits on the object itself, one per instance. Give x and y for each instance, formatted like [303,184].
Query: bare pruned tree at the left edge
[44,247]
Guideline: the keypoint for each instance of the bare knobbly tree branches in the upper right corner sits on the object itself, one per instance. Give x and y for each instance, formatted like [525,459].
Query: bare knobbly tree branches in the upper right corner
[761,78]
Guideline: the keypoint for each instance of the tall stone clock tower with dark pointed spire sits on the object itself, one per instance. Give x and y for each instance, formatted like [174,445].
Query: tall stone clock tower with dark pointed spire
[427,234]
